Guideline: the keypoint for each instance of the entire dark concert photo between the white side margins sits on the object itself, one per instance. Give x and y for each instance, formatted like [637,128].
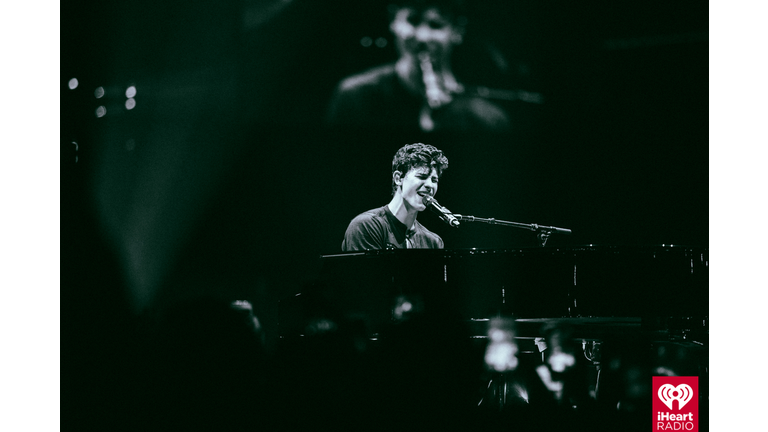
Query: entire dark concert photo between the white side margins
[252,238]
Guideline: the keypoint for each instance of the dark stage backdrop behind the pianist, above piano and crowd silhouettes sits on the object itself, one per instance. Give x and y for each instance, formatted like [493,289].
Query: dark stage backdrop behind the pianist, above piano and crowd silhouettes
[223,180]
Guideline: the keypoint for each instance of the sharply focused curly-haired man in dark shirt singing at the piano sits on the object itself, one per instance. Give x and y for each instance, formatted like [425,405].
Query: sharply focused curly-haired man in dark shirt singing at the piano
[416,170]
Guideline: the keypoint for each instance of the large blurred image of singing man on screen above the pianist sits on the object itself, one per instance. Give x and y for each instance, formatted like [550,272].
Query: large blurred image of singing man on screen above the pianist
[419,91]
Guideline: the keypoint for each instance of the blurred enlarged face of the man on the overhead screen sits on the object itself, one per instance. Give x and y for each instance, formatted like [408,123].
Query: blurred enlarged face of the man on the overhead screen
[427,31]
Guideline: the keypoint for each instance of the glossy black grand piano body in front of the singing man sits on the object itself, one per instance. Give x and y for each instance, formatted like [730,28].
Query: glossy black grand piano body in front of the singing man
[618,284]
